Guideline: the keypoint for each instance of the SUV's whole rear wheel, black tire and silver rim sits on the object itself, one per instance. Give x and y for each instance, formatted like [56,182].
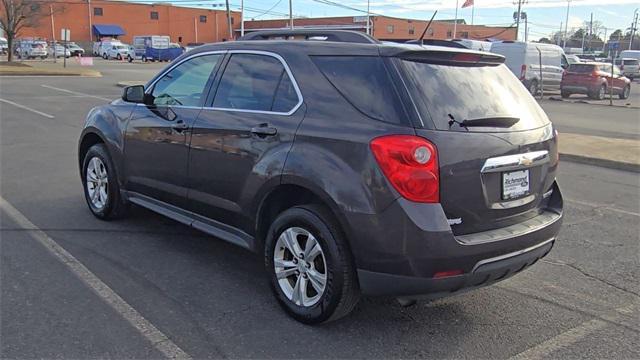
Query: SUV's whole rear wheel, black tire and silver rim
[340,293]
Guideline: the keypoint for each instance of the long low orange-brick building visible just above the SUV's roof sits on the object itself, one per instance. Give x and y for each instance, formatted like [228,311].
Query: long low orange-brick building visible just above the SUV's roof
[390,28]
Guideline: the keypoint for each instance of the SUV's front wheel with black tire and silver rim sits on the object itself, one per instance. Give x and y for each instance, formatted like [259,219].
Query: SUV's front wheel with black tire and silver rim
[114,206]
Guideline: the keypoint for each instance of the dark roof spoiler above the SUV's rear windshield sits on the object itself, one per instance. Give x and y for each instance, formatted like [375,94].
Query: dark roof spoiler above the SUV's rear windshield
[462,58]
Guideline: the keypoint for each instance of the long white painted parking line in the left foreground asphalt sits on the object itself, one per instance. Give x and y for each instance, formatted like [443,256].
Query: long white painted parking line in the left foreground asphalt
[158,339]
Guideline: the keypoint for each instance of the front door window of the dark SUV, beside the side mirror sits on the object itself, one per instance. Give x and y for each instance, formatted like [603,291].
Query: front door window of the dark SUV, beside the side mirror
[185,84]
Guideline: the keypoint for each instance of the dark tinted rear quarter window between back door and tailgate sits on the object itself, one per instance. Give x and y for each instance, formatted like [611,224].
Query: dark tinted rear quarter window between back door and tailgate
[365,83]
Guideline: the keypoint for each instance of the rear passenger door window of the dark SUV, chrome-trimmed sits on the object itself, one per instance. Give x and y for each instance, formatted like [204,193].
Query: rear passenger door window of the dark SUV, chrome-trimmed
[256,82]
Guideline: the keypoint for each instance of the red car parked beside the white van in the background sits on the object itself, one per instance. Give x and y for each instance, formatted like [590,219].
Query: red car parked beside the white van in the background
[595,80]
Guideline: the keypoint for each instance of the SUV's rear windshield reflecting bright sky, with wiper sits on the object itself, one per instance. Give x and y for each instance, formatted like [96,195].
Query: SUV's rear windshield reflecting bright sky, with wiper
[471,92]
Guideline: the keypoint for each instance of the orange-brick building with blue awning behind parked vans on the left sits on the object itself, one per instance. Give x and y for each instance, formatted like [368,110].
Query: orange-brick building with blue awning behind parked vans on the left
[184,25]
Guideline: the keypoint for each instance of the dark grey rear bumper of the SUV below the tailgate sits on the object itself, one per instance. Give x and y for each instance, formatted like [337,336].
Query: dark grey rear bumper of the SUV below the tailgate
[401,252]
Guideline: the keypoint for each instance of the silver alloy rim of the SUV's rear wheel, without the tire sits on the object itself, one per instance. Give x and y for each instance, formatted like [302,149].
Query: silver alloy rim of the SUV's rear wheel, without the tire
[300,266]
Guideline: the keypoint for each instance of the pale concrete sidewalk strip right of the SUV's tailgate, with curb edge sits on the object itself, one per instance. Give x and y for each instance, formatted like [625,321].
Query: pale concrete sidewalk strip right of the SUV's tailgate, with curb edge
[622,154]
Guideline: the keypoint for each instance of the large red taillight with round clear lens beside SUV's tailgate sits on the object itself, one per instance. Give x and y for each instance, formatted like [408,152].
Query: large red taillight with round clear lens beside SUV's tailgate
[410,163]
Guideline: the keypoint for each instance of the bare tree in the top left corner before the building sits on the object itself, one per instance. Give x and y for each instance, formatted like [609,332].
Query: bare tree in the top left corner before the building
[16,15]
